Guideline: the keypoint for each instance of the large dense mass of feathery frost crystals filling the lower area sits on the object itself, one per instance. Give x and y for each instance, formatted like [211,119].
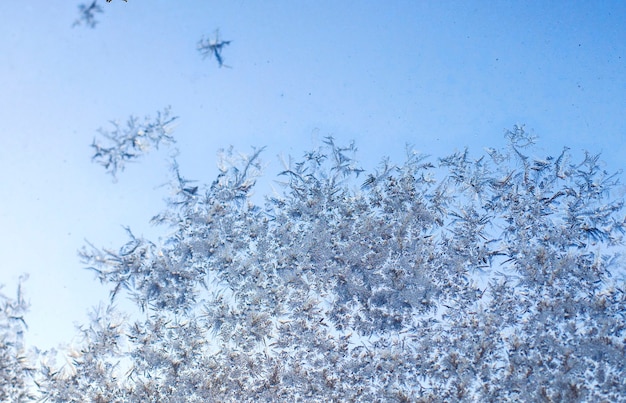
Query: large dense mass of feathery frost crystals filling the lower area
[487,278]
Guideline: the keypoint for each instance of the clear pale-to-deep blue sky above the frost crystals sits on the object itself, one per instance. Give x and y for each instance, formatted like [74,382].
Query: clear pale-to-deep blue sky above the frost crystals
[439,75]
